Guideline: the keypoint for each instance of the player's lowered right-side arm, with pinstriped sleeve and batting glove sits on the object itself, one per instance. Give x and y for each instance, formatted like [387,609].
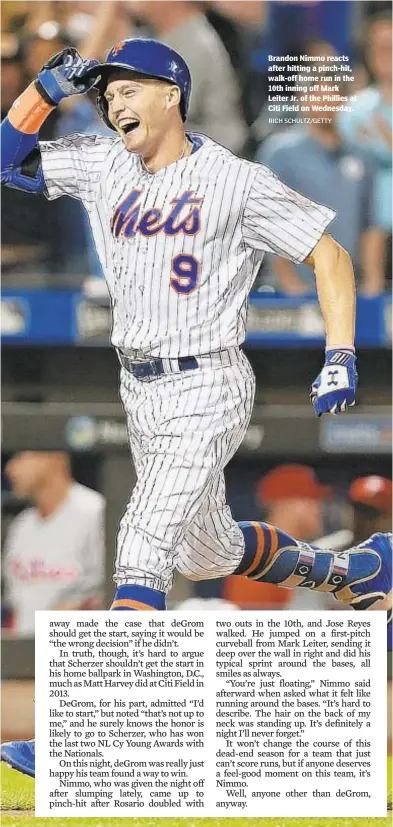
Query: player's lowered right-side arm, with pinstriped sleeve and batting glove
[279,220]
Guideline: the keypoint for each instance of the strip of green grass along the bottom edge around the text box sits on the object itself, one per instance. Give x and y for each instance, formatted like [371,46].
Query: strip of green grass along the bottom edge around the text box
[18,794]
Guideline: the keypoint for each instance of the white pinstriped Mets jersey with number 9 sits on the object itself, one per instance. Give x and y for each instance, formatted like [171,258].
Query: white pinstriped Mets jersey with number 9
[180,248]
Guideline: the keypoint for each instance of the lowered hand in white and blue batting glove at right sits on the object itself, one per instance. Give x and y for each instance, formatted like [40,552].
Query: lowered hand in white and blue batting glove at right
[334,389]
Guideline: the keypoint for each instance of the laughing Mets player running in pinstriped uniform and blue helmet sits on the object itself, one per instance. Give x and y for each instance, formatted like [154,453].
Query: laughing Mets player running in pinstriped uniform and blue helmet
[181,226]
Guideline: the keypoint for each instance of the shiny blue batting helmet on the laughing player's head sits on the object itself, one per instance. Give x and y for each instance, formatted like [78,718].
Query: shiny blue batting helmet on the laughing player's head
[147,57]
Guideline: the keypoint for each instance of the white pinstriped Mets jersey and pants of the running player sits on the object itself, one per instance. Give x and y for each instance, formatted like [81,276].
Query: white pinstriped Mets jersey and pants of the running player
[180,249]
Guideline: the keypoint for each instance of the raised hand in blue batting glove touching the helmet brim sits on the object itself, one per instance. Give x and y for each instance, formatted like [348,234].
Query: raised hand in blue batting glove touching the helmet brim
[65,74]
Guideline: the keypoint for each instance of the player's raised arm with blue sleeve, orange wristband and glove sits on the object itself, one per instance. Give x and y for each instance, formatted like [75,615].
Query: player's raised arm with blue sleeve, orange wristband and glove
[62,76]
